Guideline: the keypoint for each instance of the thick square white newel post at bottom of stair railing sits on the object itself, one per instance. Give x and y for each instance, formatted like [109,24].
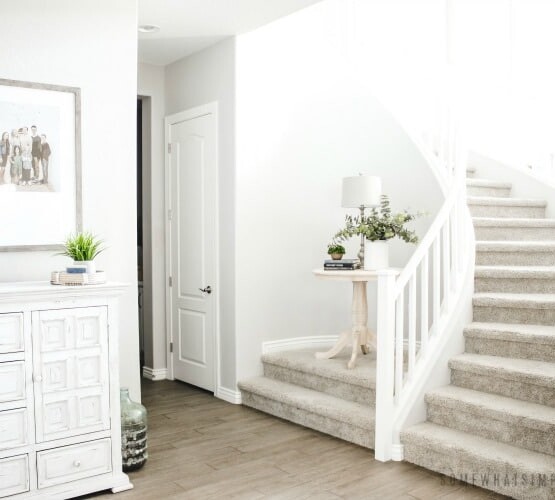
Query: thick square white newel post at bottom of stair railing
[385,361]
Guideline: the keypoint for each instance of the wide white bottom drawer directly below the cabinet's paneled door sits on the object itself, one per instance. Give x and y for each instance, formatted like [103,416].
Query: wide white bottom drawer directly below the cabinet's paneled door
[70,463]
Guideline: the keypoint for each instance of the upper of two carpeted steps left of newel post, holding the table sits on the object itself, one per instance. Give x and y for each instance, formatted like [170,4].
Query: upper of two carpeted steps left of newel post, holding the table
[331,376]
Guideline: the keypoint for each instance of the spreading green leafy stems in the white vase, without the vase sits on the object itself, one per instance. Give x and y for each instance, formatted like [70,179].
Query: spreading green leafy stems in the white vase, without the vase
[381,224]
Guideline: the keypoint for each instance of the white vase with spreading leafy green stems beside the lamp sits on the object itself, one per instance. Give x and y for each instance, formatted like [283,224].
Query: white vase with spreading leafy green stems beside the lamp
[378,227]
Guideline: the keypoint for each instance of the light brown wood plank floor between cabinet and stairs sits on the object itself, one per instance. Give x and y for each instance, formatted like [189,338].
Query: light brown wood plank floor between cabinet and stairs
[203,448]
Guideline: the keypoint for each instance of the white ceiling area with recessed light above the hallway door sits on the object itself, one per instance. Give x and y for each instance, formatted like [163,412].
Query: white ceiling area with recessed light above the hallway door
[187,26]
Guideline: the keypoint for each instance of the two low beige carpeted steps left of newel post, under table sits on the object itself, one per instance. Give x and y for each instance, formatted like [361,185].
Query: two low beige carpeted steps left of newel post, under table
[320,394]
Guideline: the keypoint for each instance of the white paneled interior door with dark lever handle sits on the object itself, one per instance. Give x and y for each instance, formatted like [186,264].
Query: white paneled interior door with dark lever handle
[192,197]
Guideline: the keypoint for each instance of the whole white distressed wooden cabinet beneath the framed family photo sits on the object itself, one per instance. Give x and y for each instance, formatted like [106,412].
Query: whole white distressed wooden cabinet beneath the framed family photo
[59,391]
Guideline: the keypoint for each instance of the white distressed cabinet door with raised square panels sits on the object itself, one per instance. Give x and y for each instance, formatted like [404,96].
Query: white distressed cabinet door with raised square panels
[72,395]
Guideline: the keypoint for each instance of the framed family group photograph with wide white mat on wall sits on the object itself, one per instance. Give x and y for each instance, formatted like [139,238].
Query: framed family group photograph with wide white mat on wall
[40,165]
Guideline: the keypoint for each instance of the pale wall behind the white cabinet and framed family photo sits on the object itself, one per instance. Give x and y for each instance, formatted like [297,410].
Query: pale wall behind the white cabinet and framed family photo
[91,44]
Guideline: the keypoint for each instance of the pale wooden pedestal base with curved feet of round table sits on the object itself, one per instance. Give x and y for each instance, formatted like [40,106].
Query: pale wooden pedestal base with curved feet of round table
[359,332]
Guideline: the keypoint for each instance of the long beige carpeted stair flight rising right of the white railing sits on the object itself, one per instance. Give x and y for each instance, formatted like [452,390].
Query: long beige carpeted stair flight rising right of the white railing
[494,426]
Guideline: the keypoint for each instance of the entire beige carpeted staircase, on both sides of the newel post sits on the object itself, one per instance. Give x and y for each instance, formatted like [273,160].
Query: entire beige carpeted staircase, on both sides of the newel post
[494,426]
